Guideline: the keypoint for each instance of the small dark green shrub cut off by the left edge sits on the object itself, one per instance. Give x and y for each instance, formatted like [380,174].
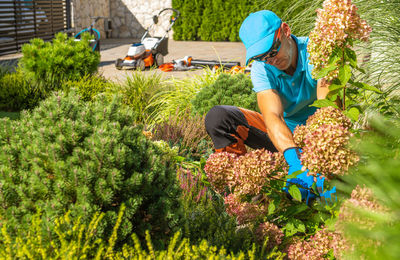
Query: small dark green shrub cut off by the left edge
[16,92]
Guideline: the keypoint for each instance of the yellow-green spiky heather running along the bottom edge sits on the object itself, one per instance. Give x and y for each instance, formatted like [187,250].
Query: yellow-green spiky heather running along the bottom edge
[75,240]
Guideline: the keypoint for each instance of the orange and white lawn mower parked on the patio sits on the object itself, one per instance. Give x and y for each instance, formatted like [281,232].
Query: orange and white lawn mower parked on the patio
[149,51]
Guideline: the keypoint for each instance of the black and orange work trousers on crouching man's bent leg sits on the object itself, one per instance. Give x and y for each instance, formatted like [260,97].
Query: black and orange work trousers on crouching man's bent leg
[231,128]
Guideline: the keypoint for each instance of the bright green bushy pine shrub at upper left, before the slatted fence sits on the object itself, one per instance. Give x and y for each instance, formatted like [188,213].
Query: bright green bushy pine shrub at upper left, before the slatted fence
[49,64]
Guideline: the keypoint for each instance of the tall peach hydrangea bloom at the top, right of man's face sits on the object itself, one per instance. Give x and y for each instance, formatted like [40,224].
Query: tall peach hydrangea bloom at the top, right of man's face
[336,23]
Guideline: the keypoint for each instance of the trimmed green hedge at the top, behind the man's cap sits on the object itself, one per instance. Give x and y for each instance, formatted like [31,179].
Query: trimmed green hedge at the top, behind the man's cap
[208,20]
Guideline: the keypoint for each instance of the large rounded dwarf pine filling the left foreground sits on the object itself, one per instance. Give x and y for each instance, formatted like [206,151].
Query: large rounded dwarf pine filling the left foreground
[86,157]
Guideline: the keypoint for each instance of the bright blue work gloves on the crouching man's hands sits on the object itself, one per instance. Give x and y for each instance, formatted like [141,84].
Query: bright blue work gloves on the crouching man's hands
[292,157]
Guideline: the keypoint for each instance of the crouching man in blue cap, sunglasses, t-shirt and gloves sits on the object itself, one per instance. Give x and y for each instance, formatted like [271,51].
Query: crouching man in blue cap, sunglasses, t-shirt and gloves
[281,76]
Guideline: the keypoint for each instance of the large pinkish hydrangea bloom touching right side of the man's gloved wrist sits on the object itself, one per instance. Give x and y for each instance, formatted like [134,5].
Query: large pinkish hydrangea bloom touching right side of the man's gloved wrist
[324,140]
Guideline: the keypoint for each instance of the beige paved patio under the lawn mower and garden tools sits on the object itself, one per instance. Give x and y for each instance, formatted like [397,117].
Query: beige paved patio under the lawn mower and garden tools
[112,49]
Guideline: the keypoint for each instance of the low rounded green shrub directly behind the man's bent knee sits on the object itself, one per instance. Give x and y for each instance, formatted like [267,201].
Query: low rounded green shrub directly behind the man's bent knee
[234,90]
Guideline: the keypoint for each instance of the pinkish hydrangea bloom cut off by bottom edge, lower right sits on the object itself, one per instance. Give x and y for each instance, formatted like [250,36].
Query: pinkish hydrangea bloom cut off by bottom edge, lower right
[319,246]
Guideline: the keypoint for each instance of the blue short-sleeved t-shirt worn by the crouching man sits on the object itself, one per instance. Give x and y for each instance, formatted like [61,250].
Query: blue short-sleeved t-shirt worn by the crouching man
[297,92]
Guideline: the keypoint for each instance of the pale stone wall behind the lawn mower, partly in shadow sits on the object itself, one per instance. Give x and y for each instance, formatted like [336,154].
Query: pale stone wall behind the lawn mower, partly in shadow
[129,18]
